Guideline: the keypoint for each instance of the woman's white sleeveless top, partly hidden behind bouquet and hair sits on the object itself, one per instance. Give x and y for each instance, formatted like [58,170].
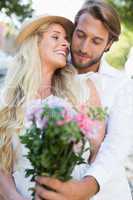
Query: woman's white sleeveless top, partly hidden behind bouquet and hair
[22,183]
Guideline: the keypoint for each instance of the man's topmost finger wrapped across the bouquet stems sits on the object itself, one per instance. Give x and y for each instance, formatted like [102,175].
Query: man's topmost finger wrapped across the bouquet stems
[53,183]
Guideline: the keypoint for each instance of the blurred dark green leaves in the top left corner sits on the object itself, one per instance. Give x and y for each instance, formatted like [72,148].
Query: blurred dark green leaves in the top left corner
[17,7]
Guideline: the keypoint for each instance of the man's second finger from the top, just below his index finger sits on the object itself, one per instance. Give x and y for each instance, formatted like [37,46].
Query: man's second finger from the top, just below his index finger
[47,194]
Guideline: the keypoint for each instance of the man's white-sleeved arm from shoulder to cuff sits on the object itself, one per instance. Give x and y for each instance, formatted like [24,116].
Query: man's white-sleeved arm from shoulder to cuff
[118,140]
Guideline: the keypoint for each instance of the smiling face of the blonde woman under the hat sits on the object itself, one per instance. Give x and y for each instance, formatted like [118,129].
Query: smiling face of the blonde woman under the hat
[54,47]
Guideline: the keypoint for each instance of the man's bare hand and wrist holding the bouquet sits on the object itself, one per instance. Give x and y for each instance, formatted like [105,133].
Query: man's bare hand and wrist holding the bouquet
[70,190]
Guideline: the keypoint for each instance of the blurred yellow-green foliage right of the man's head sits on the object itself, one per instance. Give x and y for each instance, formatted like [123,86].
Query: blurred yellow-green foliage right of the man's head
[119,51]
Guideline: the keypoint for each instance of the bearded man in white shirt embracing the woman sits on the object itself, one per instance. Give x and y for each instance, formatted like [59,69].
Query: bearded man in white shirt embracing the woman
[97,26]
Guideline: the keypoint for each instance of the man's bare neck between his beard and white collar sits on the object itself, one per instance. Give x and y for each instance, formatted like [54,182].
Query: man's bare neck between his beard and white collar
[93,68]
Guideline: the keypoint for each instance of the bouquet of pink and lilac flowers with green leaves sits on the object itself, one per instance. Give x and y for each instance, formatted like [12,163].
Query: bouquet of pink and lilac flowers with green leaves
[55,136]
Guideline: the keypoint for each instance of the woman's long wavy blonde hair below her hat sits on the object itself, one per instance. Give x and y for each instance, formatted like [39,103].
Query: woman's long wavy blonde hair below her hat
[21,84]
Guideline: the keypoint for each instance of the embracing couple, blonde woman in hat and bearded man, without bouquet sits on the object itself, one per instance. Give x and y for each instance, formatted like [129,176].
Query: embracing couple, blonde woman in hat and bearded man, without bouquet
[43,50]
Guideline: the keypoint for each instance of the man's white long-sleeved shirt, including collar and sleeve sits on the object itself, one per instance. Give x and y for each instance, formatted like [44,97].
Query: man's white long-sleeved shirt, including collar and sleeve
[108,167]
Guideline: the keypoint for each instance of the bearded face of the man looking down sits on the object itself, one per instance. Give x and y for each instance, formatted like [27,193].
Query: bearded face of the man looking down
[90,40]
